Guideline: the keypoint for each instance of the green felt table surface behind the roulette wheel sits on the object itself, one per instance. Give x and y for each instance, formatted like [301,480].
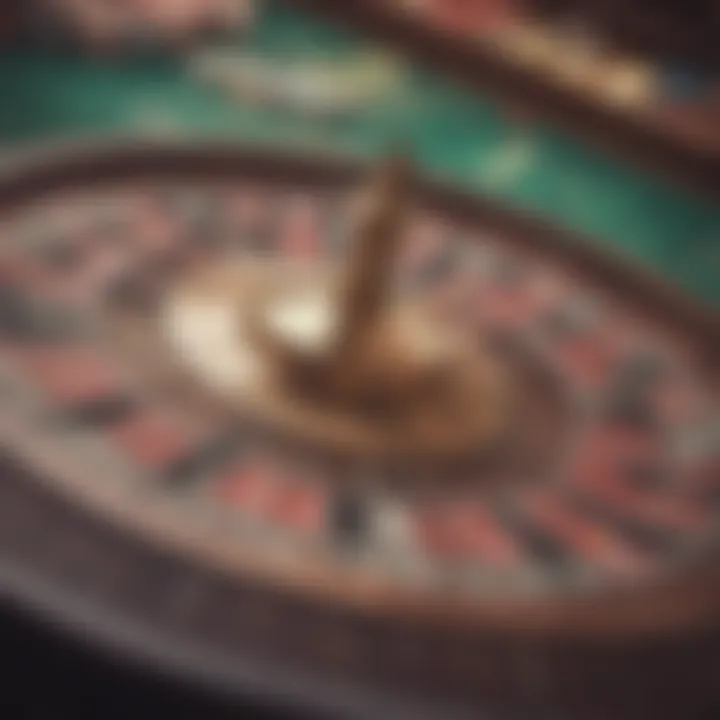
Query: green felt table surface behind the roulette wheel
[50,93]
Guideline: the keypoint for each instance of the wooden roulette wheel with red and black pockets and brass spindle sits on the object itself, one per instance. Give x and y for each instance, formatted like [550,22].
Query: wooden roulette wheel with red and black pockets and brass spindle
[396,453]
